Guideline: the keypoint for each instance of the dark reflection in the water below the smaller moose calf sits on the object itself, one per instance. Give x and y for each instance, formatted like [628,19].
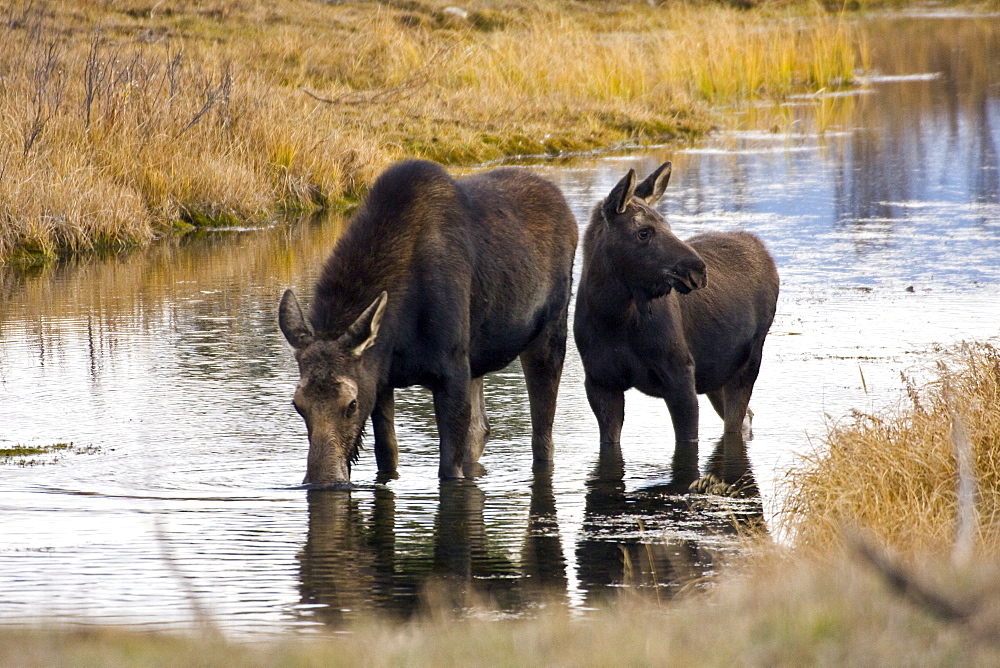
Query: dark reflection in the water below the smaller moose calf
[659,536]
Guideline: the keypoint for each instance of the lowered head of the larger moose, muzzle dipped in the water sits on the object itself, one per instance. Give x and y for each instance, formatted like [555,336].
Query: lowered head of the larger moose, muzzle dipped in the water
[336,390]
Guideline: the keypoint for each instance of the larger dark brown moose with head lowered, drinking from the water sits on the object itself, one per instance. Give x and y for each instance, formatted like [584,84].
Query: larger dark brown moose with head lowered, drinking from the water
[436,282]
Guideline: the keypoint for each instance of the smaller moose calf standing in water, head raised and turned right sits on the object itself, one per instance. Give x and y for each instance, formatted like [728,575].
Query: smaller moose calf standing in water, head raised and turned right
[671,318]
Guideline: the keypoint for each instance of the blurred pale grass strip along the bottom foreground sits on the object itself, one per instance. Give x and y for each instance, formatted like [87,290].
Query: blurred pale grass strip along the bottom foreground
[795,614]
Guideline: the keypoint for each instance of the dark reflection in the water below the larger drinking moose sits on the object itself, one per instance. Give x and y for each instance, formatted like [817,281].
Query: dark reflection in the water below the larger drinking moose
[353,563]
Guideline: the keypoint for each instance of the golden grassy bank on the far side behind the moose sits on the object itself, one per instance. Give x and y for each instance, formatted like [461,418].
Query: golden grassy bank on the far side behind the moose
[125,121]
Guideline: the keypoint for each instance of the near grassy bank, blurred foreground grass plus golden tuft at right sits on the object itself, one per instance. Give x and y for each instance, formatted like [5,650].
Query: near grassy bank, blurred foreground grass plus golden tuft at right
[903,595]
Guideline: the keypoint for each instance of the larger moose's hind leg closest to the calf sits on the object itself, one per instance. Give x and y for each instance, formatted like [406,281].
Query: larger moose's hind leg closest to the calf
[542,363]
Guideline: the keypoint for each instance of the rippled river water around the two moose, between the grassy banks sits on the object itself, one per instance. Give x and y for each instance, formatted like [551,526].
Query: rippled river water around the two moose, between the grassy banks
[178,504]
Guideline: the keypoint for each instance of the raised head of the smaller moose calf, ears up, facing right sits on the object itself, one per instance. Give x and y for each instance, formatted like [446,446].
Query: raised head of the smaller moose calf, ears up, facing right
[648,256]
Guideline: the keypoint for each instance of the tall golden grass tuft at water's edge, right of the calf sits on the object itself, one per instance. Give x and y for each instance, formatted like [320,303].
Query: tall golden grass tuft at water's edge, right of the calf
[896,474]
